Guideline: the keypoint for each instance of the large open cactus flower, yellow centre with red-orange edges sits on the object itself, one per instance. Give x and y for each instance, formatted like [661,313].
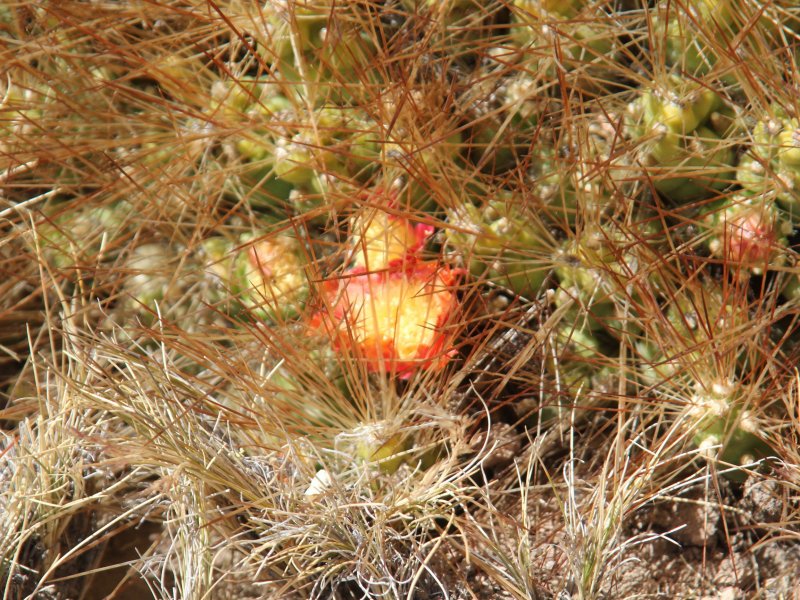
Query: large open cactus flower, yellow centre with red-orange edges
[394,318]
